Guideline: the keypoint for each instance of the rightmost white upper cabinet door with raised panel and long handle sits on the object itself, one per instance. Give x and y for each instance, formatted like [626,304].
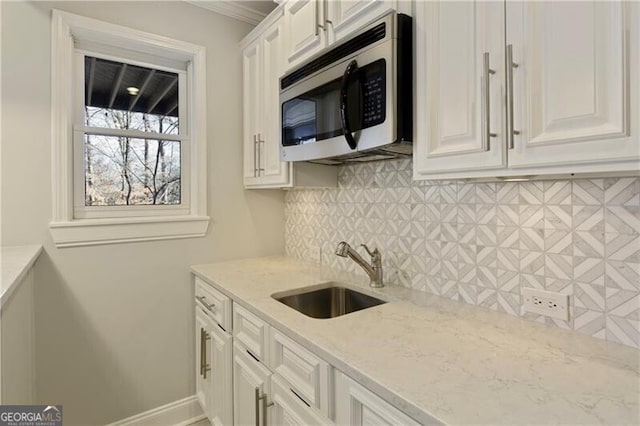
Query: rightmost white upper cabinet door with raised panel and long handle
[573,100]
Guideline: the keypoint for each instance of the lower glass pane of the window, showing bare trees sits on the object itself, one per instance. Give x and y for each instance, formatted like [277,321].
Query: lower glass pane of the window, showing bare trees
[125,171]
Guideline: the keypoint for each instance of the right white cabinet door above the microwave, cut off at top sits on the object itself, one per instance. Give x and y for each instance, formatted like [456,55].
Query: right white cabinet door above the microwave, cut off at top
[344,17]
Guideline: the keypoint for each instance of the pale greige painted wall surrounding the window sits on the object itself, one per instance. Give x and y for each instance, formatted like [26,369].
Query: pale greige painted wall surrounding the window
[114,323]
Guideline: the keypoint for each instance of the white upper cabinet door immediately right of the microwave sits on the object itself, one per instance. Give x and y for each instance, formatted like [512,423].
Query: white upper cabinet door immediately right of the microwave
[460,70]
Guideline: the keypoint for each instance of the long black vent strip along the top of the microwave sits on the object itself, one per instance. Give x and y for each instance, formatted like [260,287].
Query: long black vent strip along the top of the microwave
[353,45]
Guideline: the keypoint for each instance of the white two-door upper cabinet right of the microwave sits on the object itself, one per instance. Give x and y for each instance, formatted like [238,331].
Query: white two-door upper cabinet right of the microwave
[553,92]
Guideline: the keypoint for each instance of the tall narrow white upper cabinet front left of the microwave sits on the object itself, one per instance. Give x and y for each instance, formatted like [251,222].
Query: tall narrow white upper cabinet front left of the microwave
[262,67]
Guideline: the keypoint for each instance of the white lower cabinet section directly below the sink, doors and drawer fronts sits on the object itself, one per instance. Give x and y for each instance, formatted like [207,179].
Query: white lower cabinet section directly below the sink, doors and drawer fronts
[275,380]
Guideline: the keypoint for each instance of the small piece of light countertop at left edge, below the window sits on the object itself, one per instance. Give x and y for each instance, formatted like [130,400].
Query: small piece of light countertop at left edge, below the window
[15,262]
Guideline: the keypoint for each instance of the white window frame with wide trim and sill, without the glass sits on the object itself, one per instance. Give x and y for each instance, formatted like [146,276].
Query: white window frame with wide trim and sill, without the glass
[73,223]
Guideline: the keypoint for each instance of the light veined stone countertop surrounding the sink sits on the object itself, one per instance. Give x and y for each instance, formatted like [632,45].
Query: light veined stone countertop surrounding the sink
[443,361]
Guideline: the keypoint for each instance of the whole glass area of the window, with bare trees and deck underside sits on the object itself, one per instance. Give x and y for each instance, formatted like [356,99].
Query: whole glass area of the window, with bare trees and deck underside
[121,170]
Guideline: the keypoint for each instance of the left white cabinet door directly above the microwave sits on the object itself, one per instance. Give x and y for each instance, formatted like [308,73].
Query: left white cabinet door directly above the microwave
[305,26]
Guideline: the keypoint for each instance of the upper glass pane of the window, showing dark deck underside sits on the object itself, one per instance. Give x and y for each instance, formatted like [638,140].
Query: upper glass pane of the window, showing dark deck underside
[125,96]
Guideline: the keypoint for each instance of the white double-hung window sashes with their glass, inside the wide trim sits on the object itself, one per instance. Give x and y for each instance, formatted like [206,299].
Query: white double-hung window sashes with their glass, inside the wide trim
[131,150]
